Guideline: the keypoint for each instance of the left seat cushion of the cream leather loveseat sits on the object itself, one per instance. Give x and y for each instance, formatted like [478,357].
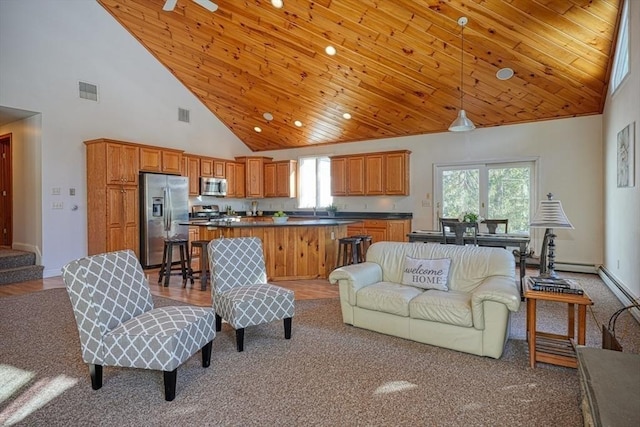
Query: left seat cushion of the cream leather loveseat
[387,297]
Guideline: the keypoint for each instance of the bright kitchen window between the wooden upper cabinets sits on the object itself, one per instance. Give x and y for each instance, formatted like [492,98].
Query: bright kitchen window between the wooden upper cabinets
[314,183]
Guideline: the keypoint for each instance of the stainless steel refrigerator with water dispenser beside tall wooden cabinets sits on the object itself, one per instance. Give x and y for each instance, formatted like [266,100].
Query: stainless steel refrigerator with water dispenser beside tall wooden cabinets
[164,204]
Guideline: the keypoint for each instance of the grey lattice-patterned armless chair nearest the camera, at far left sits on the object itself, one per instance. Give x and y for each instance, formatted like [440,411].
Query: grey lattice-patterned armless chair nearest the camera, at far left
[118,325]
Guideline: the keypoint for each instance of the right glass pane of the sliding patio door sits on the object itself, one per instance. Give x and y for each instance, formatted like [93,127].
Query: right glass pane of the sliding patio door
[509,196]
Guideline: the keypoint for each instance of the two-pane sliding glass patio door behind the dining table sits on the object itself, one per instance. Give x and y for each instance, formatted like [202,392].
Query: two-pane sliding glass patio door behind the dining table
[493,190]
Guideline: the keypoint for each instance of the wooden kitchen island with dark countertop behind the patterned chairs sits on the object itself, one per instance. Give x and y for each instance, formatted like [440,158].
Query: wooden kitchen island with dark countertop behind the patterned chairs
[297,249]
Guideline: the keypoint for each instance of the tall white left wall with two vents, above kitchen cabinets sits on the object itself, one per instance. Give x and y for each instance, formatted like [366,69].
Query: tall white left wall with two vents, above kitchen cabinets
[46,47]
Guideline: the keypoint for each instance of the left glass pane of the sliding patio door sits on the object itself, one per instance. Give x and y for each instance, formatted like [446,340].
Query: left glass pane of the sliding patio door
[460,192]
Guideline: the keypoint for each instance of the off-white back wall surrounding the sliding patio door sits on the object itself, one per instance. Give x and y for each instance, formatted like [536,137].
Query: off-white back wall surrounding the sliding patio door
[570,166]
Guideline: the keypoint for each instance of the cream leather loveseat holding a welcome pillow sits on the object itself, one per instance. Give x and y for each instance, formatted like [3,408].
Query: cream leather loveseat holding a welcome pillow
[472,316]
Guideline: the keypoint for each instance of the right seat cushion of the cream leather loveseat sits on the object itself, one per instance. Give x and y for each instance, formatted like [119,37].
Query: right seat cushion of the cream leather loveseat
[453,307]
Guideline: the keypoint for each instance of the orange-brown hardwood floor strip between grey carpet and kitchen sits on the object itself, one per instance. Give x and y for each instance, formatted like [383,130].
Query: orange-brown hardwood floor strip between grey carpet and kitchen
[303,289]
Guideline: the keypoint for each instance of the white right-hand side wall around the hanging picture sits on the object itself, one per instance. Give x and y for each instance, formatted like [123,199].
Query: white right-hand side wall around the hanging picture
[622,228]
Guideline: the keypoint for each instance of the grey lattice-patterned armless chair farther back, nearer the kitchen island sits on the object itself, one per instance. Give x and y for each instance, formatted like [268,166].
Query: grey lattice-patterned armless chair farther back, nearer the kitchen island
[239,288]
